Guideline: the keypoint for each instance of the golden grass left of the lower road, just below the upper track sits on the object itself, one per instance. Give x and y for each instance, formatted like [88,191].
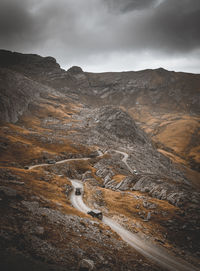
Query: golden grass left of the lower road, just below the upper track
[48,189]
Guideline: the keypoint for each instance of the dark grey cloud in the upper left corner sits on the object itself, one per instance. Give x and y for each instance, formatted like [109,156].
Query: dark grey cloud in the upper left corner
[20,28]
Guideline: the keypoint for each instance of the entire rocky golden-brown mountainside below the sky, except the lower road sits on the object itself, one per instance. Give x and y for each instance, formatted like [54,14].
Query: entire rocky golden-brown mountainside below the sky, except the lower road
[132,138]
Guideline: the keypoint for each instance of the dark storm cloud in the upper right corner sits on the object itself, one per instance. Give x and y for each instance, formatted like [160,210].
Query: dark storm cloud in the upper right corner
[174,25]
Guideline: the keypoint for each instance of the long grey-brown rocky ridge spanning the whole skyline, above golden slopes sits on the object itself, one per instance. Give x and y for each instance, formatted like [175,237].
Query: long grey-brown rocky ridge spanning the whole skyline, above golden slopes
[160,90]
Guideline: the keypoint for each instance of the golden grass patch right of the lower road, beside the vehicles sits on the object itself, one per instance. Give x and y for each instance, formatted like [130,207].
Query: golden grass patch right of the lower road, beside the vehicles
[126,207]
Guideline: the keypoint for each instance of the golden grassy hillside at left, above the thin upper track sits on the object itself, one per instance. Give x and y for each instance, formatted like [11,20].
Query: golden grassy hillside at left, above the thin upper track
[23,140]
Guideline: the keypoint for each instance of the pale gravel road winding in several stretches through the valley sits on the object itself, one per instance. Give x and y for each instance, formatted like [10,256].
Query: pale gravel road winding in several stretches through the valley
[157,254]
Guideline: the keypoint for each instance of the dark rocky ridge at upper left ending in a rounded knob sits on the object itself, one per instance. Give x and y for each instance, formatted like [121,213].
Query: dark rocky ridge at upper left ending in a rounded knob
[42,69]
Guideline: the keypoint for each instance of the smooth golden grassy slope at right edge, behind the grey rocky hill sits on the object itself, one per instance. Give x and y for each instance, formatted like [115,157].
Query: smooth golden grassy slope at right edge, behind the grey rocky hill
[176,135]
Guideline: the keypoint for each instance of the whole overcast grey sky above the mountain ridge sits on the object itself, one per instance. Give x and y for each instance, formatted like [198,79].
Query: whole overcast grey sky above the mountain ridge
[105,35]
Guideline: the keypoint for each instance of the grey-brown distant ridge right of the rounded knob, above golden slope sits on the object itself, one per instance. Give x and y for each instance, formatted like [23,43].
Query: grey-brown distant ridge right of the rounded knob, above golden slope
[160,90]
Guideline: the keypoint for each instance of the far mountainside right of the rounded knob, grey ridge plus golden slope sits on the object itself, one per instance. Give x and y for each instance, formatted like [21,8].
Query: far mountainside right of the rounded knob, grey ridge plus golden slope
[158,100]
